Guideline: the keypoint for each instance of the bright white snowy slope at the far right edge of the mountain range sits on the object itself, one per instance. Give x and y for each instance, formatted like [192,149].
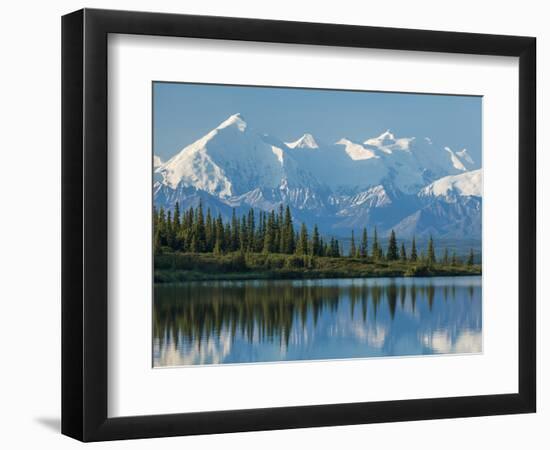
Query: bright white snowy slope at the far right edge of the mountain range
[467,184]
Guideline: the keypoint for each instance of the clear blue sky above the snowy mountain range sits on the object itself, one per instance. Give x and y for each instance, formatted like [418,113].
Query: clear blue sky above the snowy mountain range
[183,113]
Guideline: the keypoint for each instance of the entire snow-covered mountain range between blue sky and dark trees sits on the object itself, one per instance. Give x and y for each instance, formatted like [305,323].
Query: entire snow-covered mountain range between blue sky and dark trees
[406,183]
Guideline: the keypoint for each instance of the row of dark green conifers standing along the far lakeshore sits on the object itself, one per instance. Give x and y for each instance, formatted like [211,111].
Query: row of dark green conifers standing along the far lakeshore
[193,231]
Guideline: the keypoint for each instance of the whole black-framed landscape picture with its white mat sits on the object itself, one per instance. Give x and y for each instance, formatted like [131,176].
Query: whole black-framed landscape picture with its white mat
[273,224]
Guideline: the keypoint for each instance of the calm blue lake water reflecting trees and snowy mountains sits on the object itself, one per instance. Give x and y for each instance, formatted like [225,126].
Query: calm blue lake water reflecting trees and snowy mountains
[220,322]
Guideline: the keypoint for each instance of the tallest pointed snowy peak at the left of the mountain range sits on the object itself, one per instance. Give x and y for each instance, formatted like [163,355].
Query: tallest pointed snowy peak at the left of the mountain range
[234,159]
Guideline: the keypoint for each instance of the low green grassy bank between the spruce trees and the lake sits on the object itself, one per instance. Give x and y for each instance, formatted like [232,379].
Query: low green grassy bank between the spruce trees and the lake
[177,267]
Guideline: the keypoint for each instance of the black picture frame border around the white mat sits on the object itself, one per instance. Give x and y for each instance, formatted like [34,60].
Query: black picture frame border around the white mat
[84,224]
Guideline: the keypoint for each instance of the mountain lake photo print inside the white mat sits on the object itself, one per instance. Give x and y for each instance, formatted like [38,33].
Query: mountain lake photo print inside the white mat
[295,224]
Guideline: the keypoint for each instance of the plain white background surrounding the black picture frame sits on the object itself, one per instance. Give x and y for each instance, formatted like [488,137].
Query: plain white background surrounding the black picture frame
[30,225]
